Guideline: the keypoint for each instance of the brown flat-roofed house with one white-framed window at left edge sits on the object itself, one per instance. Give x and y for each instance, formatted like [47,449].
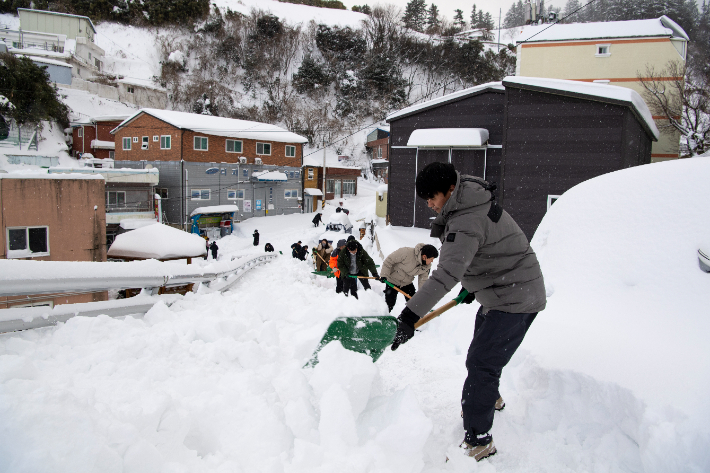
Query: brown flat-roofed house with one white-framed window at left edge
[49,217]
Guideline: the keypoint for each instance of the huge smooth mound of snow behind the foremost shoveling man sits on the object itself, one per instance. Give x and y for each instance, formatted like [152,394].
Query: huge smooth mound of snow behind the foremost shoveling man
[628,303]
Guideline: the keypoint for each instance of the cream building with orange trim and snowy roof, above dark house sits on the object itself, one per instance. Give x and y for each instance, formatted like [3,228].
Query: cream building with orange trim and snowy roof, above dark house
[608,53]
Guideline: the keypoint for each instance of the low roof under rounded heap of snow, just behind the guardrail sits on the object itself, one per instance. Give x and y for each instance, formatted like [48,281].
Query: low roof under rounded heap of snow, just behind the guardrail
[157,242]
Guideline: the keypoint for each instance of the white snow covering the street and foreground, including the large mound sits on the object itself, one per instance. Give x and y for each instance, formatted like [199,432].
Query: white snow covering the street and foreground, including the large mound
[611,377]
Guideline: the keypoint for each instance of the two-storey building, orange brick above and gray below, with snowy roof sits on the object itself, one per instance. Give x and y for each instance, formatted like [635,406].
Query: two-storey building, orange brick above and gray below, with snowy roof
[206,161]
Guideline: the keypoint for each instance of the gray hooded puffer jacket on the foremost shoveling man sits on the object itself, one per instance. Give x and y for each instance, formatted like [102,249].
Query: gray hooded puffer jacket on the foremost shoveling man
[493,260]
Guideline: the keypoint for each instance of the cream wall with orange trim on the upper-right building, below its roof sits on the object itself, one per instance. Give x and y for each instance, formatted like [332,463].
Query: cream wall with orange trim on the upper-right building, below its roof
[577,60]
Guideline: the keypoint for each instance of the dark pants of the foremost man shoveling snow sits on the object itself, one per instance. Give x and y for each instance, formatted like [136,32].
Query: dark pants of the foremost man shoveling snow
[496,337]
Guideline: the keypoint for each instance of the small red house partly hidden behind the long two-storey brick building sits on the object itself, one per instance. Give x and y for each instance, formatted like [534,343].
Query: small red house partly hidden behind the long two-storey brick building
[93,135]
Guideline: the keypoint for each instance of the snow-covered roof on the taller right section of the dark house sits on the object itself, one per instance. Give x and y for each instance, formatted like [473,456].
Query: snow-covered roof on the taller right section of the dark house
[600,92]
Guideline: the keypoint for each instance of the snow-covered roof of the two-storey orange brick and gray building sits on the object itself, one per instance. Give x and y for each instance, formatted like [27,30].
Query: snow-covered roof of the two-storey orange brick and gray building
[219,126]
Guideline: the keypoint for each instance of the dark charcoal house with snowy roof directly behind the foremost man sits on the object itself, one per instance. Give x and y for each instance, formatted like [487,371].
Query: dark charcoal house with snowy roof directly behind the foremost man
[534,137]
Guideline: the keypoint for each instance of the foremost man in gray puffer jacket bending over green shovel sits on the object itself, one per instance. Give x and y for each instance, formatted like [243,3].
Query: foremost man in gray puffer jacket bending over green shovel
[485,250]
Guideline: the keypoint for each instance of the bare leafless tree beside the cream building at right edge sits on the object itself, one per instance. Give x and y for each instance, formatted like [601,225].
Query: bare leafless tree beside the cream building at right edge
[683,99]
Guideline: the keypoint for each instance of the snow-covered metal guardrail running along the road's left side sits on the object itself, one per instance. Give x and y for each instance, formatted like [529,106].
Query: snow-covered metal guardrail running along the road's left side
[24,318]
